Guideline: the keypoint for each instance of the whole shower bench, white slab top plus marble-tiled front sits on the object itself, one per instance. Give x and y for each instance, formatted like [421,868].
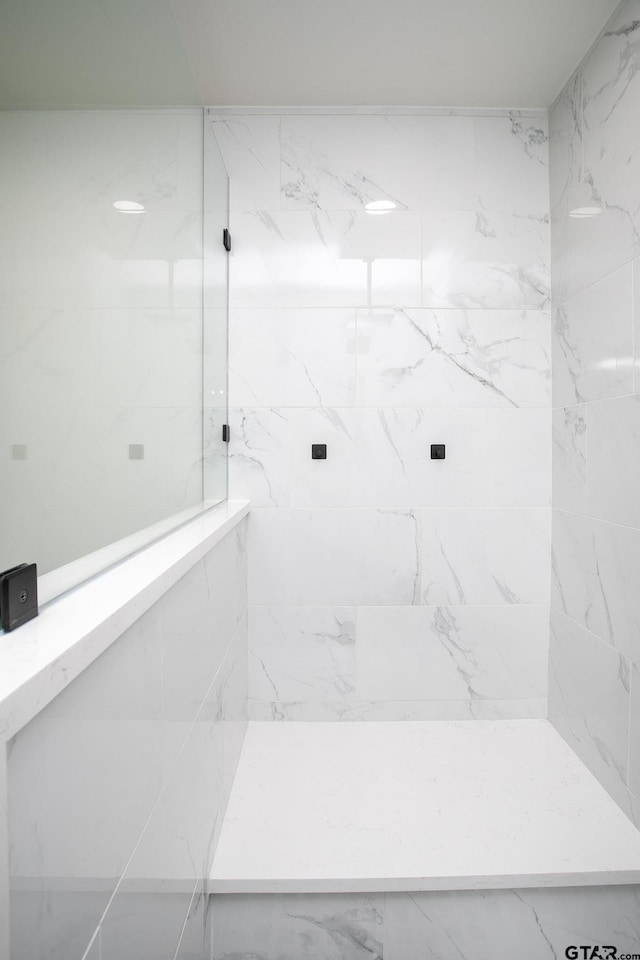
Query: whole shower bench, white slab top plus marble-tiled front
[408,840]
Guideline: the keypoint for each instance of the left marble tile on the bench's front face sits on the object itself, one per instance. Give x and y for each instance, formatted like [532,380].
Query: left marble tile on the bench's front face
[287,927]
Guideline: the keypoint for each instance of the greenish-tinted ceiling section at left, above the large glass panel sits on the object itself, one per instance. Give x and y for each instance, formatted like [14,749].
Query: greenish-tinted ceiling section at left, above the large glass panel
[93,53]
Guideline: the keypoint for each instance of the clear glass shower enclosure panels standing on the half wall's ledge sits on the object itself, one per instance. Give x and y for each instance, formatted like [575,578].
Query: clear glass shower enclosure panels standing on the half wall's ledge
[105,320]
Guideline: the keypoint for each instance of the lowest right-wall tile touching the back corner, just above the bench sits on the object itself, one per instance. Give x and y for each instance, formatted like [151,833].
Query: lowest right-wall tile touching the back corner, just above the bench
[589,685]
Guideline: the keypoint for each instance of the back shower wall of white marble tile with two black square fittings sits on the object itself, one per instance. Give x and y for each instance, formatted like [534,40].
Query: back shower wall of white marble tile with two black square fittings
[384,584]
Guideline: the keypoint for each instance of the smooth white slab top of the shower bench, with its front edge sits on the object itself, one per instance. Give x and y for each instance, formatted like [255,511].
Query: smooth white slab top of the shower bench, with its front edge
[357,807]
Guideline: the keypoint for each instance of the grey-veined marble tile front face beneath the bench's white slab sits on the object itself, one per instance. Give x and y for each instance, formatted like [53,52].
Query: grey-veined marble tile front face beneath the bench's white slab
[487,924]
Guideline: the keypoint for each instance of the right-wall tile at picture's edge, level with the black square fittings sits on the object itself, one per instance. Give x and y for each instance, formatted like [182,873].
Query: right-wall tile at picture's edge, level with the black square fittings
[613,430]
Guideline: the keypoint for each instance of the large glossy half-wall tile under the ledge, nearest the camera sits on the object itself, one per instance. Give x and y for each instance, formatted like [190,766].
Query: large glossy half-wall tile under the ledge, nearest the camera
[98,752]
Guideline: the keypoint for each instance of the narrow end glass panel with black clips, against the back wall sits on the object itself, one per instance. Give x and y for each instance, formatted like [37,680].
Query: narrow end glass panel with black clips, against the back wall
[216,298]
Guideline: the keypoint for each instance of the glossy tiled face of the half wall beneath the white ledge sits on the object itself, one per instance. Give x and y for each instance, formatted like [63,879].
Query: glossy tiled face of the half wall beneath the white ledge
[118,788]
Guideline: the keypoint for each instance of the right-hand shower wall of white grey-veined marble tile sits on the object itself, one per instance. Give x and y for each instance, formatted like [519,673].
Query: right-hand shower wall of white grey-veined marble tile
[595,637]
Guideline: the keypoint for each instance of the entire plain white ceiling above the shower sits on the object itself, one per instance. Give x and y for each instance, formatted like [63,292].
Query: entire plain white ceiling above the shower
[491,53]
